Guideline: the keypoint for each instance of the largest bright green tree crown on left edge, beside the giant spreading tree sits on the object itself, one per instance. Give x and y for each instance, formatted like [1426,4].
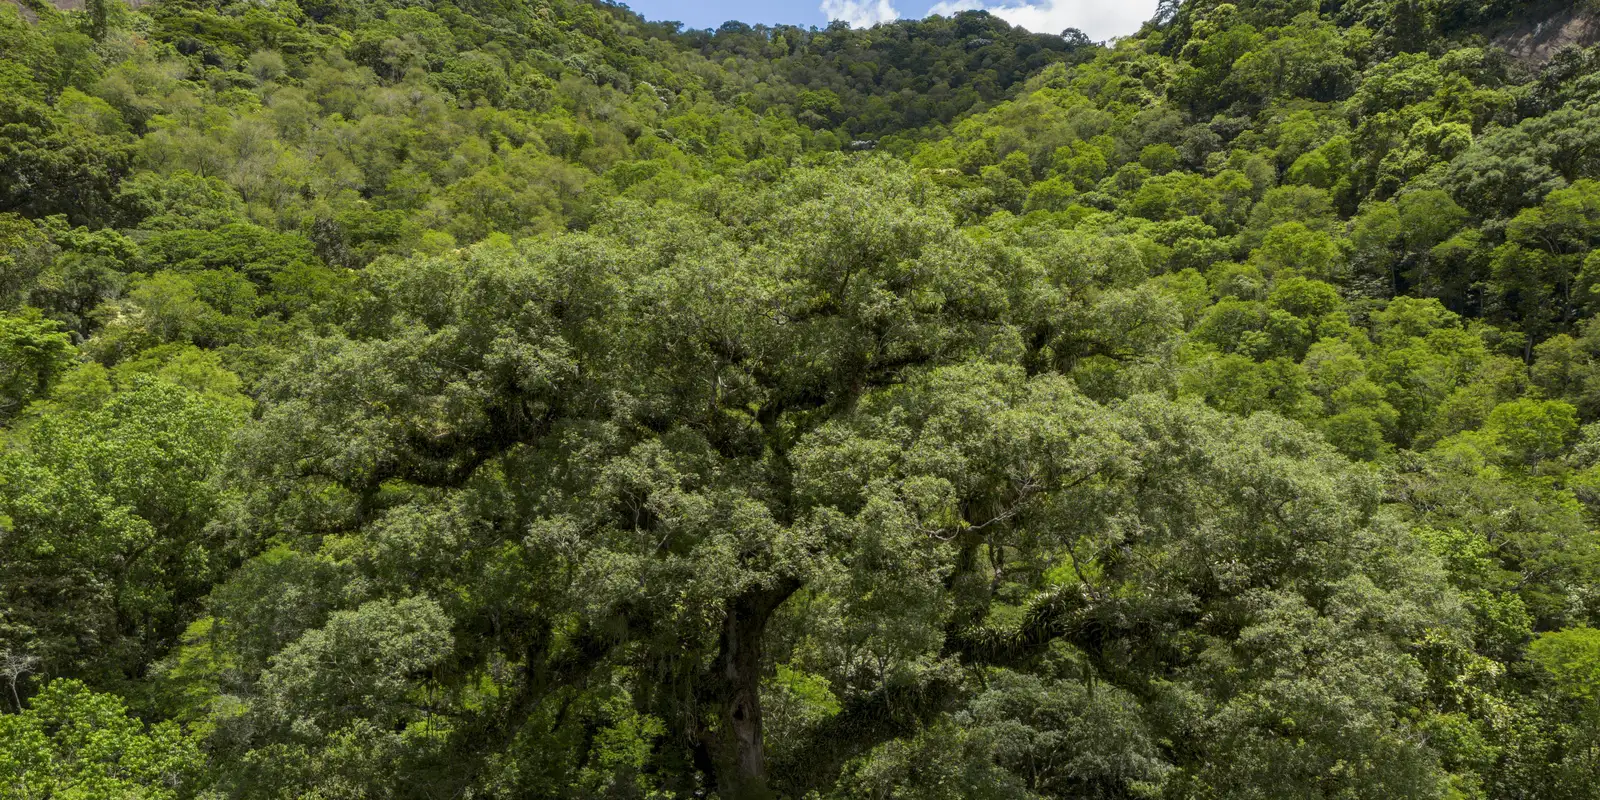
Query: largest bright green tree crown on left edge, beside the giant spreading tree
[111,540]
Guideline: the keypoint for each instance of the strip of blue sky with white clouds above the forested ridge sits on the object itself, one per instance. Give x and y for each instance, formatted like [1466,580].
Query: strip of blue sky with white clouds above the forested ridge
[1098,18]
